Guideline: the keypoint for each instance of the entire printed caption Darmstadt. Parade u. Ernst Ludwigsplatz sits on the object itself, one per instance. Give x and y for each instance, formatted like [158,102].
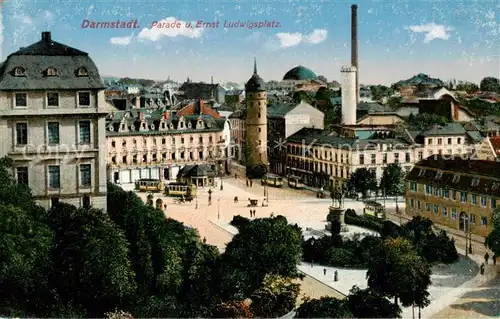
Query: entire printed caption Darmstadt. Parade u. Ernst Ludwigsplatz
[174,24]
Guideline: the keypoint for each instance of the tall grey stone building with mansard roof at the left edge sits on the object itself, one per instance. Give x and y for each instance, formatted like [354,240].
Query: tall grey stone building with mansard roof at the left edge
[52,123]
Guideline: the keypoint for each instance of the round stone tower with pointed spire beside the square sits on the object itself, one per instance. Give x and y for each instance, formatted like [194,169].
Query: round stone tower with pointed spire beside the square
[256,122]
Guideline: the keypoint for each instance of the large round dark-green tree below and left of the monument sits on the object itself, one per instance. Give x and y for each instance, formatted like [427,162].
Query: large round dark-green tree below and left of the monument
[264,246]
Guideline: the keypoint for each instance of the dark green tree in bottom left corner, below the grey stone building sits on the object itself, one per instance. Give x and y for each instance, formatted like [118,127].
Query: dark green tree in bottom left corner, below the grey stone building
[25,263]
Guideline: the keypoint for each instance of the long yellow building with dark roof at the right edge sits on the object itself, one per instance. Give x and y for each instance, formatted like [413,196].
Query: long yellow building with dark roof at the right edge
[458,193]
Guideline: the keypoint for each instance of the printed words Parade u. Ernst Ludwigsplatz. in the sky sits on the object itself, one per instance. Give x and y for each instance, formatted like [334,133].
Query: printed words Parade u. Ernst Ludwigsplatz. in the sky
[217,24]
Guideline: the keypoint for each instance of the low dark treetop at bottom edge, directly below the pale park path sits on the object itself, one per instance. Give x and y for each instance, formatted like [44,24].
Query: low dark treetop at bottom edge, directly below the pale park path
[324,307]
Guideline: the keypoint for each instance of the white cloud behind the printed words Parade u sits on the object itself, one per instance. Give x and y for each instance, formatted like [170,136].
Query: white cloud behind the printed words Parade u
[155,34]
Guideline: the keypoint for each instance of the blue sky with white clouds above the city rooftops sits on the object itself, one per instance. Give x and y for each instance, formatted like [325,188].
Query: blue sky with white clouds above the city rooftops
[397,39]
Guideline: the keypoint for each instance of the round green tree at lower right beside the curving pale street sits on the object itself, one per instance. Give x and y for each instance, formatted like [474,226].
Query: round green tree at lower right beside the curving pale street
[396,270]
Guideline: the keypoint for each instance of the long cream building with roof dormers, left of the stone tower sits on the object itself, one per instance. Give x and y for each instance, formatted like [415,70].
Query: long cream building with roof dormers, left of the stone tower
[152,143]
